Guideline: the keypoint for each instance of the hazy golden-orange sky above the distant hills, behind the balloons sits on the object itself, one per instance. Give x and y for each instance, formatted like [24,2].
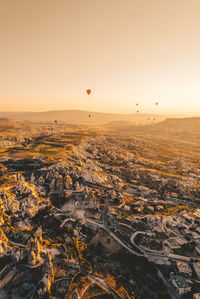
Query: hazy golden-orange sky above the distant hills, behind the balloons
[126,51]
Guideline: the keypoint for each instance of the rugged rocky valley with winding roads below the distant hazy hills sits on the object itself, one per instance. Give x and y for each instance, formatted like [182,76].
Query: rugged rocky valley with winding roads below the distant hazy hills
[99,212]
